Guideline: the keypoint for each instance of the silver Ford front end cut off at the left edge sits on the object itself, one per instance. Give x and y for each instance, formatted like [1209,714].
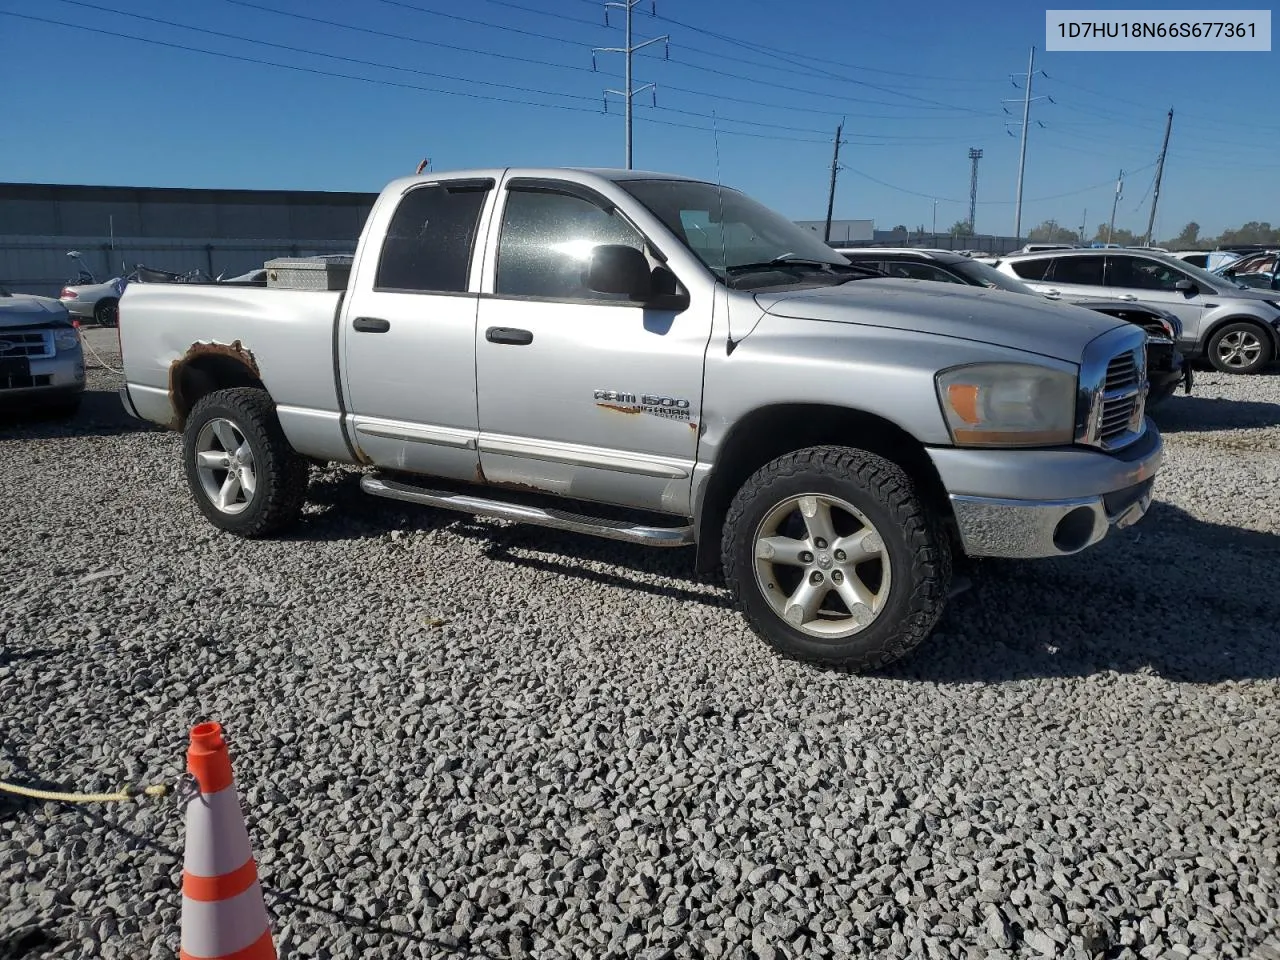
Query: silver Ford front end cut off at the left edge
[42,358]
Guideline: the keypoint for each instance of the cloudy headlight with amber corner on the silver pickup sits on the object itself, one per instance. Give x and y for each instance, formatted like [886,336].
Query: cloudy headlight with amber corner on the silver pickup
[1008,405]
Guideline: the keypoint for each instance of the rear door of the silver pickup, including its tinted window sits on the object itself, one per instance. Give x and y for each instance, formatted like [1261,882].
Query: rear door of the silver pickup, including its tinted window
[409,333]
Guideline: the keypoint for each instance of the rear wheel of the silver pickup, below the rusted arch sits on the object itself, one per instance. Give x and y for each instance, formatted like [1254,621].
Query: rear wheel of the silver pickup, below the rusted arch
[241,469]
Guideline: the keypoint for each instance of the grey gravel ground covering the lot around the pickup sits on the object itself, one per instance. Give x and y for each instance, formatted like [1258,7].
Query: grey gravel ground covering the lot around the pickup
[460,738]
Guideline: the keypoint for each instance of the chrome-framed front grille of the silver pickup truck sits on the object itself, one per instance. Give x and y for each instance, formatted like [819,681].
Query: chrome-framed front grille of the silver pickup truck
[1114,390]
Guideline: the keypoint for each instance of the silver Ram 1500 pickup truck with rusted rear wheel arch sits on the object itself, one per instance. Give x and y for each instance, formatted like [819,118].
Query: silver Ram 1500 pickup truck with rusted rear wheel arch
[669,363]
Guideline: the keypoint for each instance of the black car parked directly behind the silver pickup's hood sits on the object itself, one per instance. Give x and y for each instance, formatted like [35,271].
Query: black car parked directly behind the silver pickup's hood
[1165,364]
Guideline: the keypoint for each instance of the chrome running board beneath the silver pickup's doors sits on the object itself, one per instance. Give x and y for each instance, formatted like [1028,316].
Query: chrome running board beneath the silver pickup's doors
[524,514]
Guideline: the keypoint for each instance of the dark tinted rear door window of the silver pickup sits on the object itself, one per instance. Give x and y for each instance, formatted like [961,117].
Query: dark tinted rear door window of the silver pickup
[431,239]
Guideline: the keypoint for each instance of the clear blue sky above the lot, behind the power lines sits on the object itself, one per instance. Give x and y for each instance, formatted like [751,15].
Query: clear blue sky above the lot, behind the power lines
[920,84]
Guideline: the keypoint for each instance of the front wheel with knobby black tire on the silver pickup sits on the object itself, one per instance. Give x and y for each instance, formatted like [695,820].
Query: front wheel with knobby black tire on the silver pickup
[833,559]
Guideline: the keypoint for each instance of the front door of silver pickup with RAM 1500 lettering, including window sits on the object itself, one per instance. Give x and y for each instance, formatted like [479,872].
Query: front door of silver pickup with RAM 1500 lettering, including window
[583,395]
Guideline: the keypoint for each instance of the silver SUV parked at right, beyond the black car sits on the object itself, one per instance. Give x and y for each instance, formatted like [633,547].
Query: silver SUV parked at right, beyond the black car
[1237,331]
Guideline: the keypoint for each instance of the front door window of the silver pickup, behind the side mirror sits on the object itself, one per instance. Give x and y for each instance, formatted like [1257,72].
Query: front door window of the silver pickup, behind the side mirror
[547,240]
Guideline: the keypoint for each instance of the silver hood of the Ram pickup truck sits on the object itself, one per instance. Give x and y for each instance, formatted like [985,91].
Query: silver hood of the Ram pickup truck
[979,314]
